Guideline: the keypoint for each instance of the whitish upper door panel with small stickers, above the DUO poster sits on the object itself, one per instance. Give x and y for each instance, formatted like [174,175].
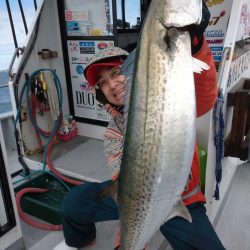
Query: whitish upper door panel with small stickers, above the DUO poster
[89,18]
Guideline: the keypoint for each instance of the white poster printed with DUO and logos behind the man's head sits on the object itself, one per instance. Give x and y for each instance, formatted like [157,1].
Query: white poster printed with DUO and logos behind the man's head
[85,104]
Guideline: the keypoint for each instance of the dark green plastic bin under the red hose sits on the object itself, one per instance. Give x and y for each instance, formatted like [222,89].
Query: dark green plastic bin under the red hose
[44,206]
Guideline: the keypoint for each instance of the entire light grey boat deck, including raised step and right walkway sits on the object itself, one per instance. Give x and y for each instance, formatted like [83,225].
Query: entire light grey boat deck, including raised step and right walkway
[84,158]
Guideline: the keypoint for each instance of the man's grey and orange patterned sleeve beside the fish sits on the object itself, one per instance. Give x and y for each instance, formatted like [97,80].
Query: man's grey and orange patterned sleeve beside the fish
[113,144]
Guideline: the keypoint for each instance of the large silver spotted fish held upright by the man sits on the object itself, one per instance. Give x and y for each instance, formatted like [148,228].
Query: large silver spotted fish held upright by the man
[160,134]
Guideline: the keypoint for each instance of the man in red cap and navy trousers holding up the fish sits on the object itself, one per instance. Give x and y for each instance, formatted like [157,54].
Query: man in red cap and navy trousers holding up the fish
[83,207]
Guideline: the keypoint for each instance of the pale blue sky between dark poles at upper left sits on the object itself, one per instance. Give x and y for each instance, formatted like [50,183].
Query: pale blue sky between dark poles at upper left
[6,39]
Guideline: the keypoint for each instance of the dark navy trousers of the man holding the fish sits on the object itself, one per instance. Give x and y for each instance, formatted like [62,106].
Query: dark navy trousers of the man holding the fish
[82,208]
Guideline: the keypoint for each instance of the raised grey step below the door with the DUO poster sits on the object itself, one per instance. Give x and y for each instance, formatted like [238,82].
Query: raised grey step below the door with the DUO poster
[81,157]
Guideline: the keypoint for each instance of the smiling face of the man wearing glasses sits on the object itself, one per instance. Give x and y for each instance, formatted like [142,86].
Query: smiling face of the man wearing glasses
[112,84]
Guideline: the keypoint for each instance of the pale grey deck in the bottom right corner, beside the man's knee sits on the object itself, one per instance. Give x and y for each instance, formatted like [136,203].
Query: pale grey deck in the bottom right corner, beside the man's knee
[233,226]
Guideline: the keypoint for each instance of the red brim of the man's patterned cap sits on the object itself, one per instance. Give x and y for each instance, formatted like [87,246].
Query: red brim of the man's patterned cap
[93,70]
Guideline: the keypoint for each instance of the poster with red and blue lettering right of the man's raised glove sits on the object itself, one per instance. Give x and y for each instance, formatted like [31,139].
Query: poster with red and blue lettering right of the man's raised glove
[216,31]
